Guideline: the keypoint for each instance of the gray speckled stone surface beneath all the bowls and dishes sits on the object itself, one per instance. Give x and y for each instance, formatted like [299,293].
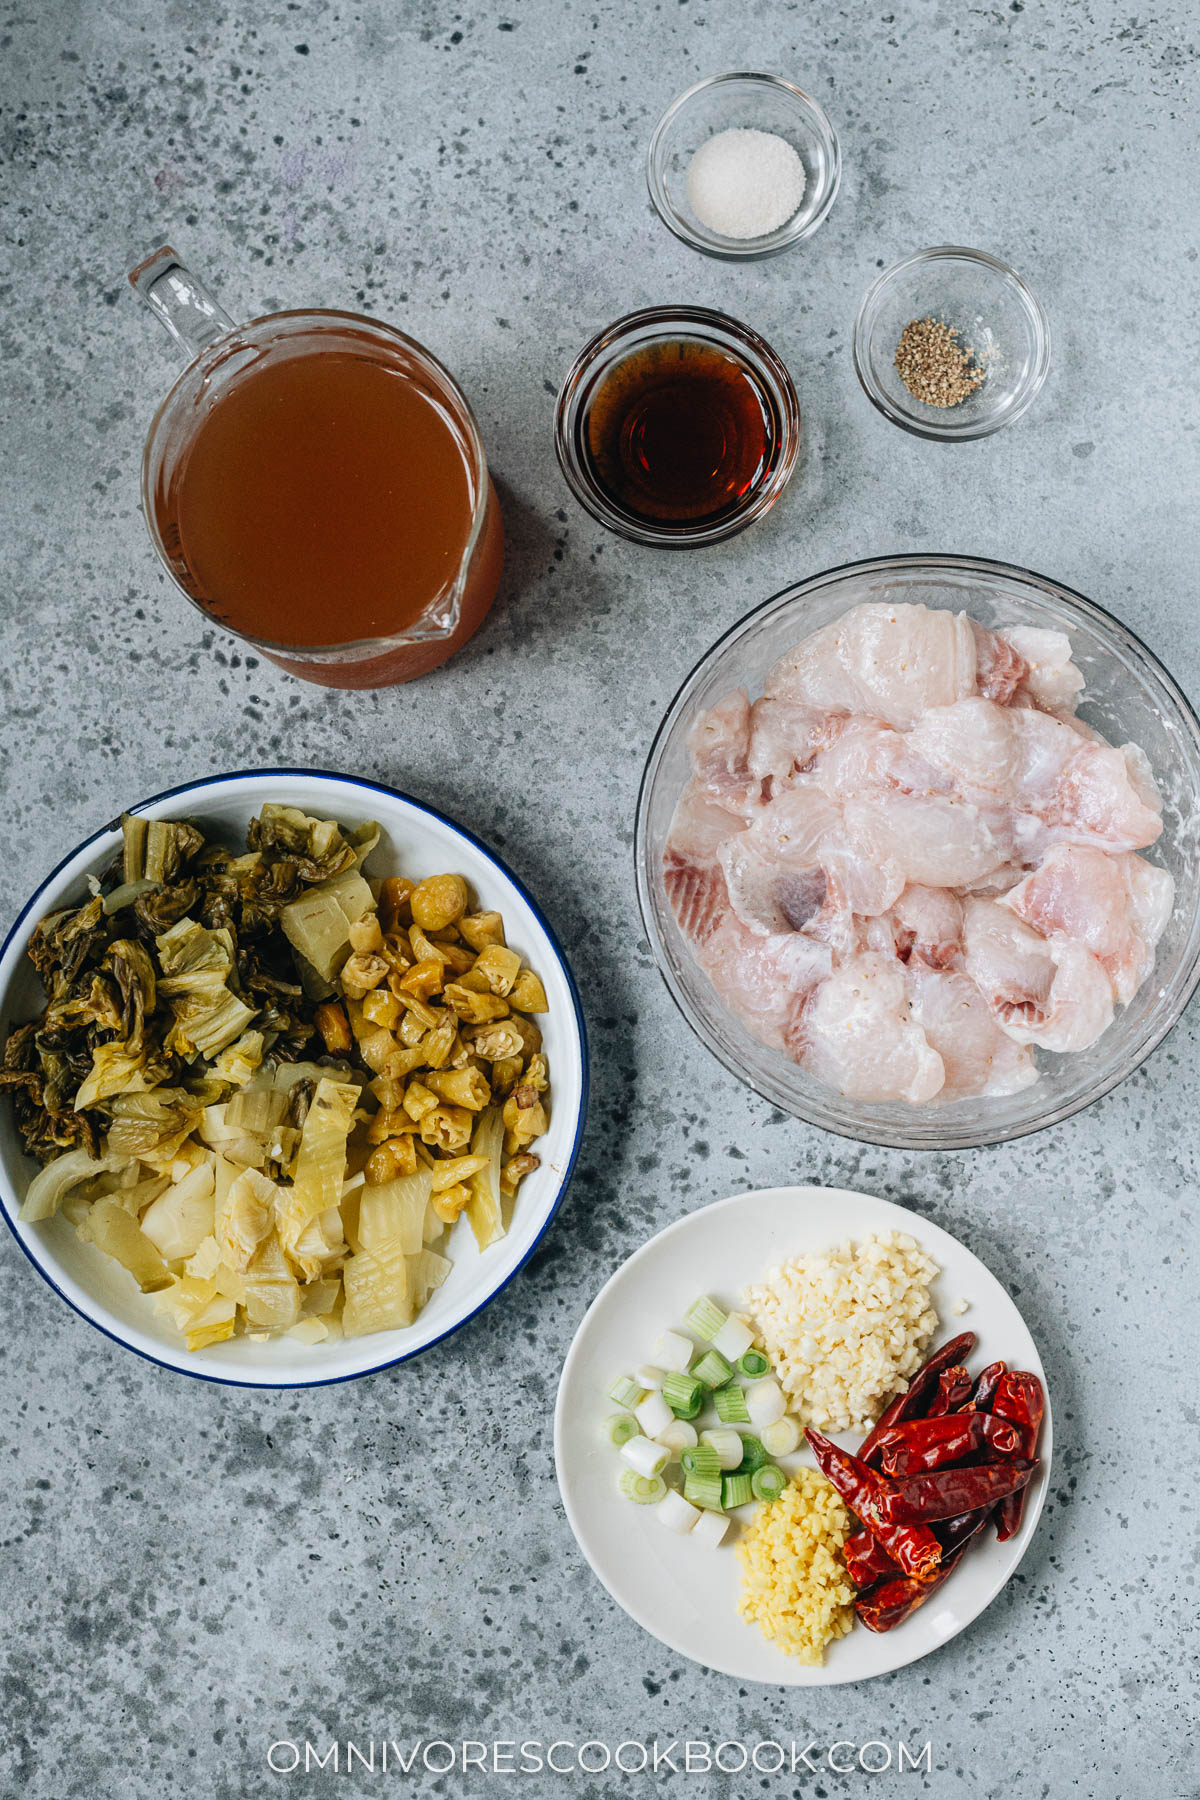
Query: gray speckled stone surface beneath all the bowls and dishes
[192,1574]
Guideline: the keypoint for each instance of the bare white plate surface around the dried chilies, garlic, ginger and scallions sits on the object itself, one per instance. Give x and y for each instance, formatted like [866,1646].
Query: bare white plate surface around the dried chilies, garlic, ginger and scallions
[686,1596]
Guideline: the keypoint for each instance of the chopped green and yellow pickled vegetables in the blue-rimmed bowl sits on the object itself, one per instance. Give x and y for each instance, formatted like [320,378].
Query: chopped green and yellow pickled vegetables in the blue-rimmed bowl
[168,1092]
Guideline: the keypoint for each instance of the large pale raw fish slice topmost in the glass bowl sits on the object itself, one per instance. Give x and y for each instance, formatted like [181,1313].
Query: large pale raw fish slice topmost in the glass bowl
[888,661]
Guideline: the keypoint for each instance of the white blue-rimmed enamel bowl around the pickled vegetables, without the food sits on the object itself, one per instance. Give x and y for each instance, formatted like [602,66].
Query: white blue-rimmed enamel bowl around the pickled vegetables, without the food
[416,841]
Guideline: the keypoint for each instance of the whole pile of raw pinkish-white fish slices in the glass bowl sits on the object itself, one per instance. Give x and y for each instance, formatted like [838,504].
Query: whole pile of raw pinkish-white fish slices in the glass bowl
[909,865]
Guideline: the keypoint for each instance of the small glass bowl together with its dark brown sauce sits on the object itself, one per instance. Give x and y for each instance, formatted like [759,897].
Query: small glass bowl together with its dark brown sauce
[677,426]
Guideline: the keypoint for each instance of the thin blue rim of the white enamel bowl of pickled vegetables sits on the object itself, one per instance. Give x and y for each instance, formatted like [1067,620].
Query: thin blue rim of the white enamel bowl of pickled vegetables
[460,831]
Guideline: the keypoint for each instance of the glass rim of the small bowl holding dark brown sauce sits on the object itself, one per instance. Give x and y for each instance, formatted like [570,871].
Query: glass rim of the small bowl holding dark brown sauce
[674,321]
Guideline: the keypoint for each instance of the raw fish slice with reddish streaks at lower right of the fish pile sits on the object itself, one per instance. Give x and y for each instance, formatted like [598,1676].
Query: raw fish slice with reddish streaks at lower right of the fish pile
[1048,993]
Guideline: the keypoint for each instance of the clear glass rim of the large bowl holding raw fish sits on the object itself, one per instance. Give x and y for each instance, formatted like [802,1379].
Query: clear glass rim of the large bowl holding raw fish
[1185,985]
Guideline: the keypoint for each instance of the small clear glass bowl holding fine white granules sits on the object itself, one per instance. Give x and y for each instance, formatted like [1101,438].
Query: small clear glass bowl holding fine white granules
[744,166]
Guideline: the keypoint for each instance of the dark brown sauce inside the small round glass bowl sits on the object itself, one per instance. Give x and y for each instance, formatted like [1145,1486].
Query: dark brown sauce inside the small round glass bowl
[681,433]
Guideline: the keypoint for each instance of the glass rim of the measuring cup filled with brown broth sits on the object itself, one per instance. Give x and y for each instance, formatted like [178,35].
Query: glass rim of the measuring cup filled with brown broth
[361,649]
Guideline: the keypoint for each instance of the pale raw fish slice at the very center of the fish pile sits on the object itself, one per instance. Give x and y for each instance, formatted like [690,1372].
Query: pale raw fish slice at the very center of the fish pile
[935,840]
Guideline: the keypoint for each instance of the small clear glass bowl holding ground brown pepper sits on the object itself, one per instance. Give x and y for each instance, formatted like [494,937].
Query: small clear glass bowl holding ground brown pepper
[951,345]
